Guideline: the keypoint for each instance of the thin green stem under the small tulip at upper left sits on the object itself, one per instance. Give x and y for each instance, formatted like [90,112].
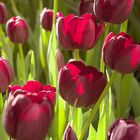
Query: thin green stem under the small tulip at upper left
[22,61]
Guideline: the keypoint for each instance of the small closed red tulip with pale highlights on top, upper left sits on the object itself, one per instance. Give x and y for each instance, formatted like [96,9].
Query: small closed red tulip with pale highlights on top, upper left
[17,29]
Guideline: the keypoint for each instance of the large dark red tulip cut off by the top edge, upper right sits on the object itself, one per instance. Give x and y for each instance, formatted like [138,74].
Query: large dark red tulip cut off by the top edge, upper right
[113,11]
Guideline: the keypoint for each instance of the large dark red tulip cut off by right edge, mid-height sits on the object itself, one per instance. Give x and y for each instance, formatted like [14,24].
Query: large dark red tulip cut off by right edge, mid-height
[120,53]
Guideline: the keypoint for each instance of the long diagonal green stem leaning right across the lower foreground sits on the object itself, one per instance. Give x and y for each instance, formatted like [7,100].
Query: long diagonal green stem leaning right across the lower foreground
[96,107]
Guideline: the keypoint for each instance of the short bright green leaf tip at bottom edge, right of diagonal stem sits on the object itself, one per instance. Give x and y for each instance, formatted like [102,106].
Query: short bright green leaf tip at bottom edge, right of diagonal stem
[92,133]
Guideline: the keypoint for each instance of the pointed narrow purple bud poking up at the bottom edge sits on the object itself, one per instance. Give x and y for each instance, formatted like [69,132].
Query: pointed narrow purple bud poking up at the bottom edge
[70,134]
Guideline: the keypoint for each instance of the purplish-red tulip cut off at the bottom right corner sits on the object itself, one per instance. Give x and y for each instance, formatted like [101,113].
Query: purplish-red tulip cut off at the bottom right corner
[124,130]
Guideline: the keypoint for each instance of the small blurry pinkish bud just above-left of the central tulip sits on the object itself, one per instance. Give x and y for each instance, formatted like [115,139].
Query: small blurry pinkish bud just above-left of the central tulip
[60,59]
